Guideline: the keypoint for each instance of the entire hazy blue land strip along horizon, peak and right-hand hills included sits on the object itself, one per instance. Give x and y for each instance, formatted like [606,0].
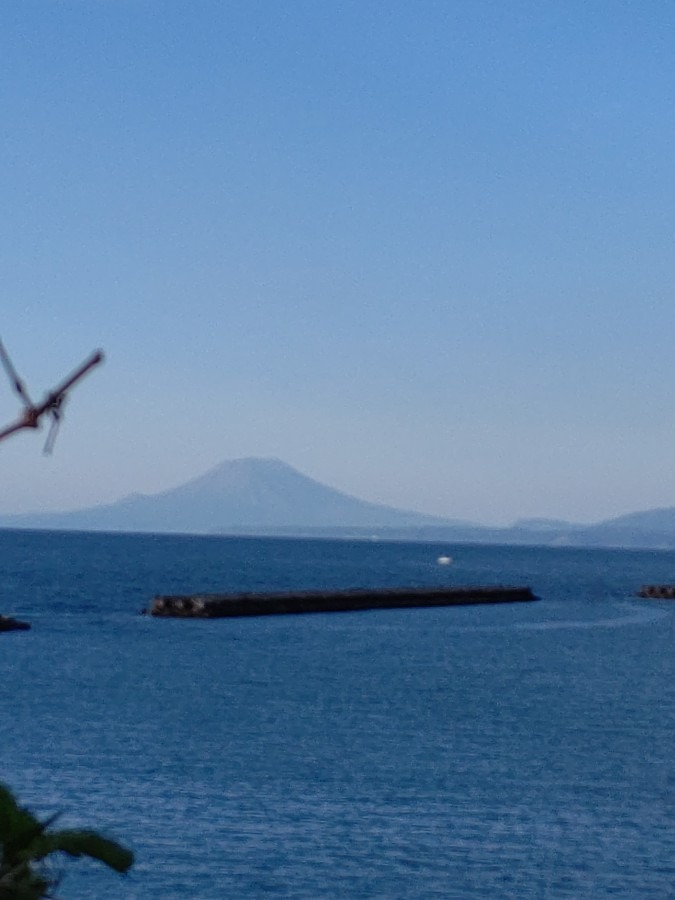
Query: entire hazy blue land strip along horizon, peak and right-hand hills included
[261,496]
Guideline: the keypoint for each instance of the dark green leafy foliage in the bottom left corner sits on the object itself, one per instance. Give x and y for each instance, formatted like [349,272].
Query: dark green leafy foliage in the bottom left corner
[26,843]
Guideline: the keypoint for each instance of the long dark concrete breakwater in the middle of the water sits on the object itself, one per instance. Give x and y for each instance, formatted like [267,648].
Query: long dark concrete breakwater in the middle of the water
[214,606]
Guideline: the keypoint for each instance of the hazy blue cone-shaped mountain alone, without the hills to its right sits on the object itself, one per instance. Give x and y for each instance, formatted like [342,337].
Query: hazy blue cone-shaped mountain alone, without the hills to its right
[237,495]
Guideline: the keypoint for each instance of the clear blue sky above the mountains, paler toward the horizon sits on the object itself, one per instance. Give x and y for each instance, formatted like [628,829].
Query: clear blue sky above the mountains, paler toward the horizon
[424,252]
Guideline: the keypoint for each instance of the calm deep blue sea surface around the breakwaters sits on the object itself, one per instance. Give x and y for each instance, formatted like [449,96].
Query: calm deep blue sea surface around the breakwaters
[506,751]
